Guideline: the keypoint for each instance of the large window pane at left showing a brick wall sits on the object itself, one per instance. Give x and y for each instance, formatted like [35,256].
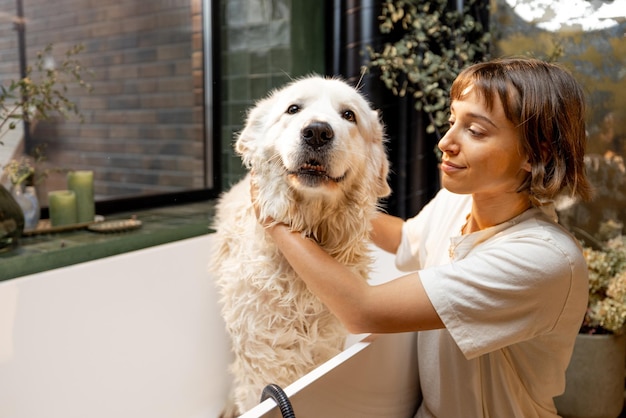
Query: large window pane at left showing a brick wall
[145,129]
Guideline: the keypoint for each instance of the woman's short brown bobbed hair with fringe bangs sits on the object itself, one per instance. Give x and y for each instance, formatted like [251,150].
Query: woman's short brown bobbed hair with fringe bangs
[547,105]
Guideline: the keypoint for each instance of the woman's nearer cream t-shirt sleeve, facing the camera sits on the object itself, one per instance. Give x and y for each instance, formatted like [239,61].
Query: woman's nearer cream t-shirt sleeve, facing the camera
[507,290]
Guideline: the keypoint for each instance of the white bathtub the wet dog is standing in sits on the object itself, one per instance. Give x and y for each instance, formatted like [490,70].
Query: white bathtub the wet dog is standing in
[139,335]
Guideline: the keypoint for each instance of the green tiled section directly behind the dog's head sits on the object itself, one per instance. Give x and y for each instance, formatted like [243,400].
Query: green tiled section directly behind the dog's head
[264,44]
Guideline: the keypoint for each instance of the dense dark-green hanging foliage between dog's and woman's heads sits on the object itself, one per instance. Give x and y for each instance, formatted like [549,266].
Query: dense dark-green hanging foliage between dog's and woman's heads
[436,44]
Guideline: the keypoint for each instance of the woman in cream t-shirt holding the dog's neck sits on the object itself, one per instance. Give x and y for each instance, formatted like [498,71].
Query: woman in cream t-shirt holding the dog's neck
[498,289]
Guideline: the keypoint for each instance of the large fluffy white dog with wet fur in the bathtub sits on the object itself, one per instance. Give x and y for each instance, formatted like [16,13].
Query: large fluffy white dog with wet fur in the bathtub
[316,148]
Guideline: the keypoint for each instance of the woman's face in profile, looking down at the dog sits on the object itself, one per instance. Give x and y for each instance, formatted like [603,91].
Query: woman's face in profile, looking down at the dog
[482,154]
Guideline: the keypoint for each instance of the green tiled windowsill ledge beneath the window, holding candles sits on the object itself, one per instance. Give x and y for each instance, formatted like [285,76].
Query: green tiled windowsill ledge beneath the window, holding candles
[39,253]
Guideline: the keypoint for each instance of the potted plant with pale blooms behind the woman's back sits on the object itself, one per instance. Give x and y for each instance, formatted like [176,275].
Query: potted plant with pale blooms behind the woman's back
[595,376]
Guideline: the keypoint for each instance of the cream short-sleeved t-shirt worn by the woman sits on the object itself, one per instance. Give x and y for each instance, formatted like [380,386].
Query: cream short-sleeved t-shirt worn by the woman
[512,299]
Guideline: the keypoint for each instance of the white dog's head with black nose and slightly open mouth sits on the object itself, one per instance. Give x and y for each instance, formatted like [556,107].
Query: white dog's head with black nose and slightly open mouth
[320,135]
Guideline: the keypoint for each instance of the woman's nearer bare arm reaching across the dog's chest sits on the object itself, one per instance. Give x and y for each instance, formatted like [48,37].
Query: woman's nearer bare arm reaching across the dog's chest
[396,306]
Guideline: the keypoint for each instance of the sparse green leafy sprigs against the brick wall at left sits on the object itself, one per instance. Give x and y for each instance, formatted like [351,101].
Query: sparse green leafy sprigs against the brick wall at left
[43,91]
